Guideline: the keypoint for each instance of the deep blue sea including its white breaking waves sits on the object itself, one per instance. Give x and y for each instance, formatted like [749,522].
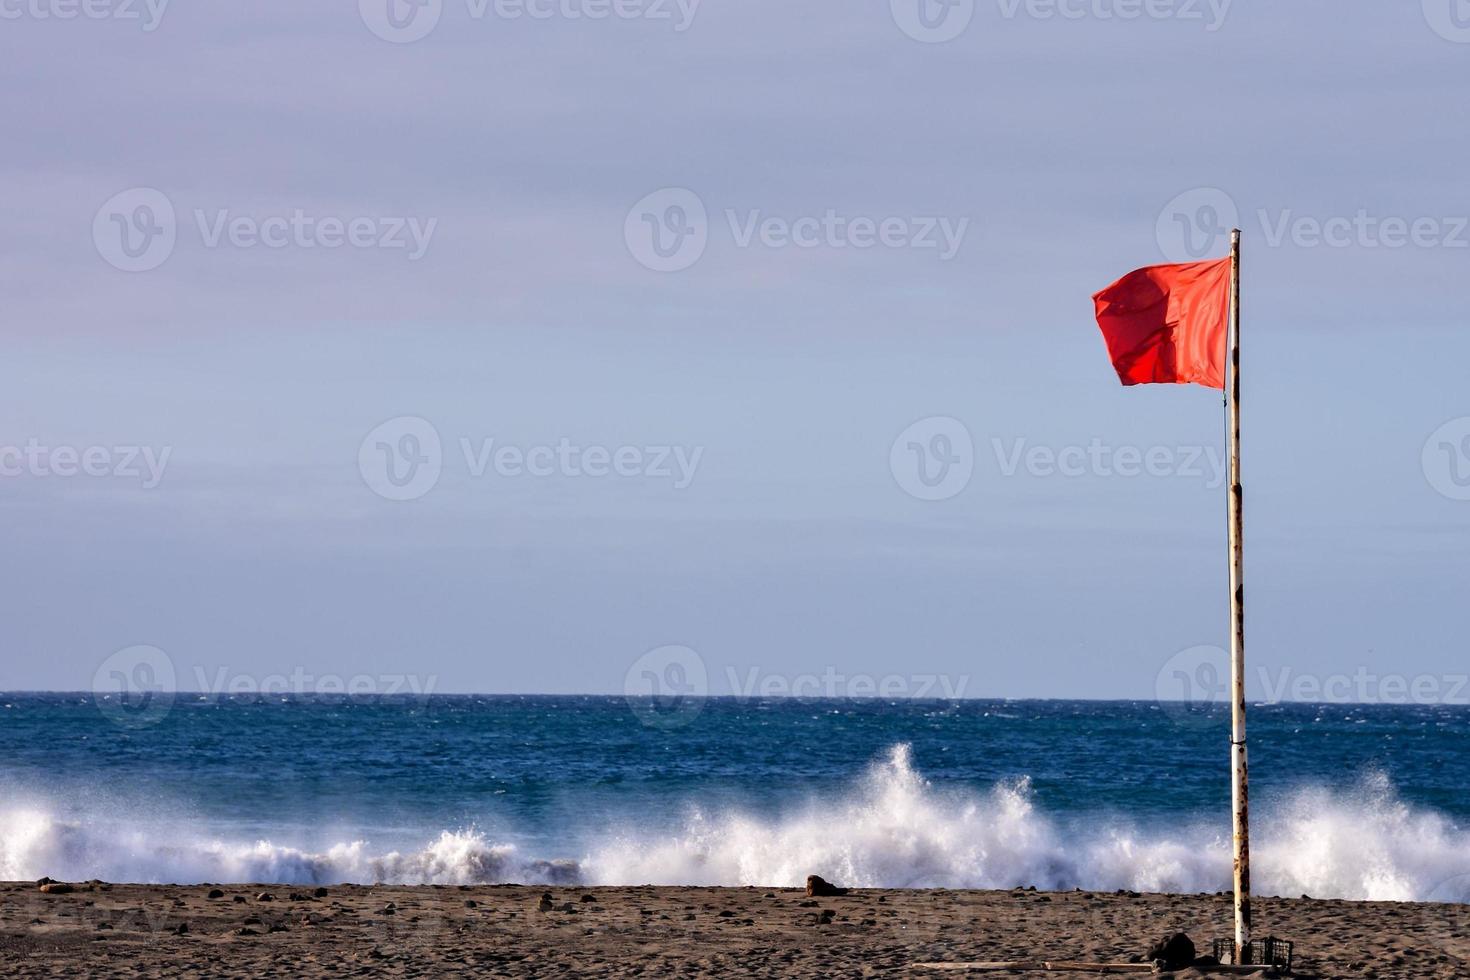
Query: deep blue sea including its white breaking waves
[1352,801]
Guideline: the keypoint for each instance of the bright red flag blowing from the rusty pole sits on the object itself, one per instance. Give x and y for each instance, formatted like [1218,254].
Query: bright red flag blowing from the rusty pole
[1169,324]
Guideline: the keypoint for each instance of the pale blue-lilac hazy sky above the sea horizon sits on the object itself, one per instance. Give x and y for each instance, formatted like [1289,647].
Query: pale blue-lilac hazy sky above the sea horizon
[642,346]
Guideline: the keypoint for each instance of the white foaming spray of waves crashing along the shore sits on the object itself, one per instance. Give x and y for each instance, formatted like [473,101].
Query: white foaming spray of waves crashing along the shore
[894,829]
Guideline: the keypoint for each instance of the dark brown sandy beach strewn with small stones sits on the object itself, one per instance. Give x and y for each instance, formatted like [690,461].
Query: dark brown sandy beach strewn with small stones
[126,931]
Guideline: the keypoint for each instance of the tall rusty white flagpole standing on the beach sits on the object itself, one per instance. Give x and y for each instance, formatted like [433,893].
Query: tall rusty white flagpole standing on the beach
[1240,796]
